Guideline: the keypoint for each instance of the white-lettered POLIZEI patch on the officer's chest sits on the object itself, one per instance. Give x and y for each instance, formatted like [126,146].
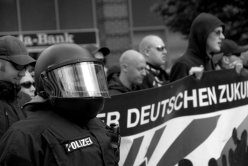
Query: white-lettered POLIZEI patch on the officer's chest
[78,144]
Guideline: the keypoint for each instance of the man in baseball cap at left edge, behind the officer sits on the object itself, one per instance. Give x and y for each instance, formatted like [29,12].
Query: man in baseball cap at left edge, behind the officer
[13,60]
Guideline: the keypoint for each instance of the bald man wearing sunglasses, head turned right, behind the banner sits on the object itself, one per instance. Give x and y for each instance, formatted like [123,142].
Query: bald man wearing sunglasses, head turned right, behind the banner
[154,51]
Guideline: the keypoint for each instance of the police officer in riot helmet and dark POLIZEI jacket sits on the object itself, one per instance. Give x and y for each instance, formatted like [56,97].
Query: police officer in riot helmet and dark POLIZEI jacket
[62,128]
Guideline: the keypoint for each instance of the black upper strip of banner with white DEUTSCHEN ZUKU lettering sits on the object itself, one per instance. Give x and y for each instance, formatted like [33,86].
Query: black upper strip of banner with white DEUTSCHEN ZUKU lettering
[149,108]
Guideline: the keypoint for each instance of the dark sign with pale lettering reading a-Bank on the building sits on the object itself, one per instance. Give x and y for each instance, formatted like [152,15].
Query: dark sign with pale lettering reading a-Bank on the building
[36,42]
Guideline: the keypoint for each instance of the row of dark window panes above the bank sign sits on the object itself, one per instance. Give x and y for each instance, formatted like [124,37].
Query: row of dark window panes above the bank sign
[45,15]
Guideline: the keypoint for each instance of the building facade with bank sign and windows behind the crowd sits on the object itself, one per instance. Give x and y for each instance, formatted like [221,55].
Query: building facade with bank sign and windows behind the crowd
[117,24]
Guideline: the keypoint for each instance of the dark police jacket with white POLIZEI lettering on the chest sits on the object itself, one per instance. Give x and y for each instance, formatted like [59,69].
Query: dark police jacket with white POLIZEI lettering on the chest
[46,138]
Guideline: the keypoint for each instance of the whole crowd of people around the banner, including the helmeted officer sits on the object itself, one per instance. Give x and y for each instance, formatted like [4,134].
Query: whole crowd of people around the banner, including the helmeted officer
[48,106]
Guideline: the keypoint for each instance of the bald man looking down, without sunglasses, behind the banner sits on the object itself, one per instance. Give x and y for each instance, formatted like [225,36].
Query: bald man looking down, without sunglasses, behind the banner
[132,66]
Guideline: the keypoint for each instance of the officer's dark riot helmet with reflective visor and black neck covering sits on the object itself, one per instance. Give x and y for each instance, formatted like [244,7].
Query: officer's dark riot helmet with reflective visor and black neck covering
[71,79]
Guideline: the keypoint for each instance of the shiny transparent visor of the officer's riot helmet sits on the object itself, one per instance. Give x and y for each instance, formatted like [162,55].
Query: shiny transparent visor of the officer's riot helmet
[84,79]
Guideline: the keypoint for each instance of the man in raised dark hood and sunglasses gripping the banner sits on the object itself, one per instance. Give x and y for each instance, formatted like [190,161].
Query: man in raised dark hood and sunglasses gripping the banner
[206,35]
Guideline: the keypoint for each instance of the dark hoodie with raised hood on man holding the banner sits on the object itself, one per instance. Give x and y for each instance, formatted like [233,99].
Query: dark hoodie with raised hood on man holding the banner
[196,54]
